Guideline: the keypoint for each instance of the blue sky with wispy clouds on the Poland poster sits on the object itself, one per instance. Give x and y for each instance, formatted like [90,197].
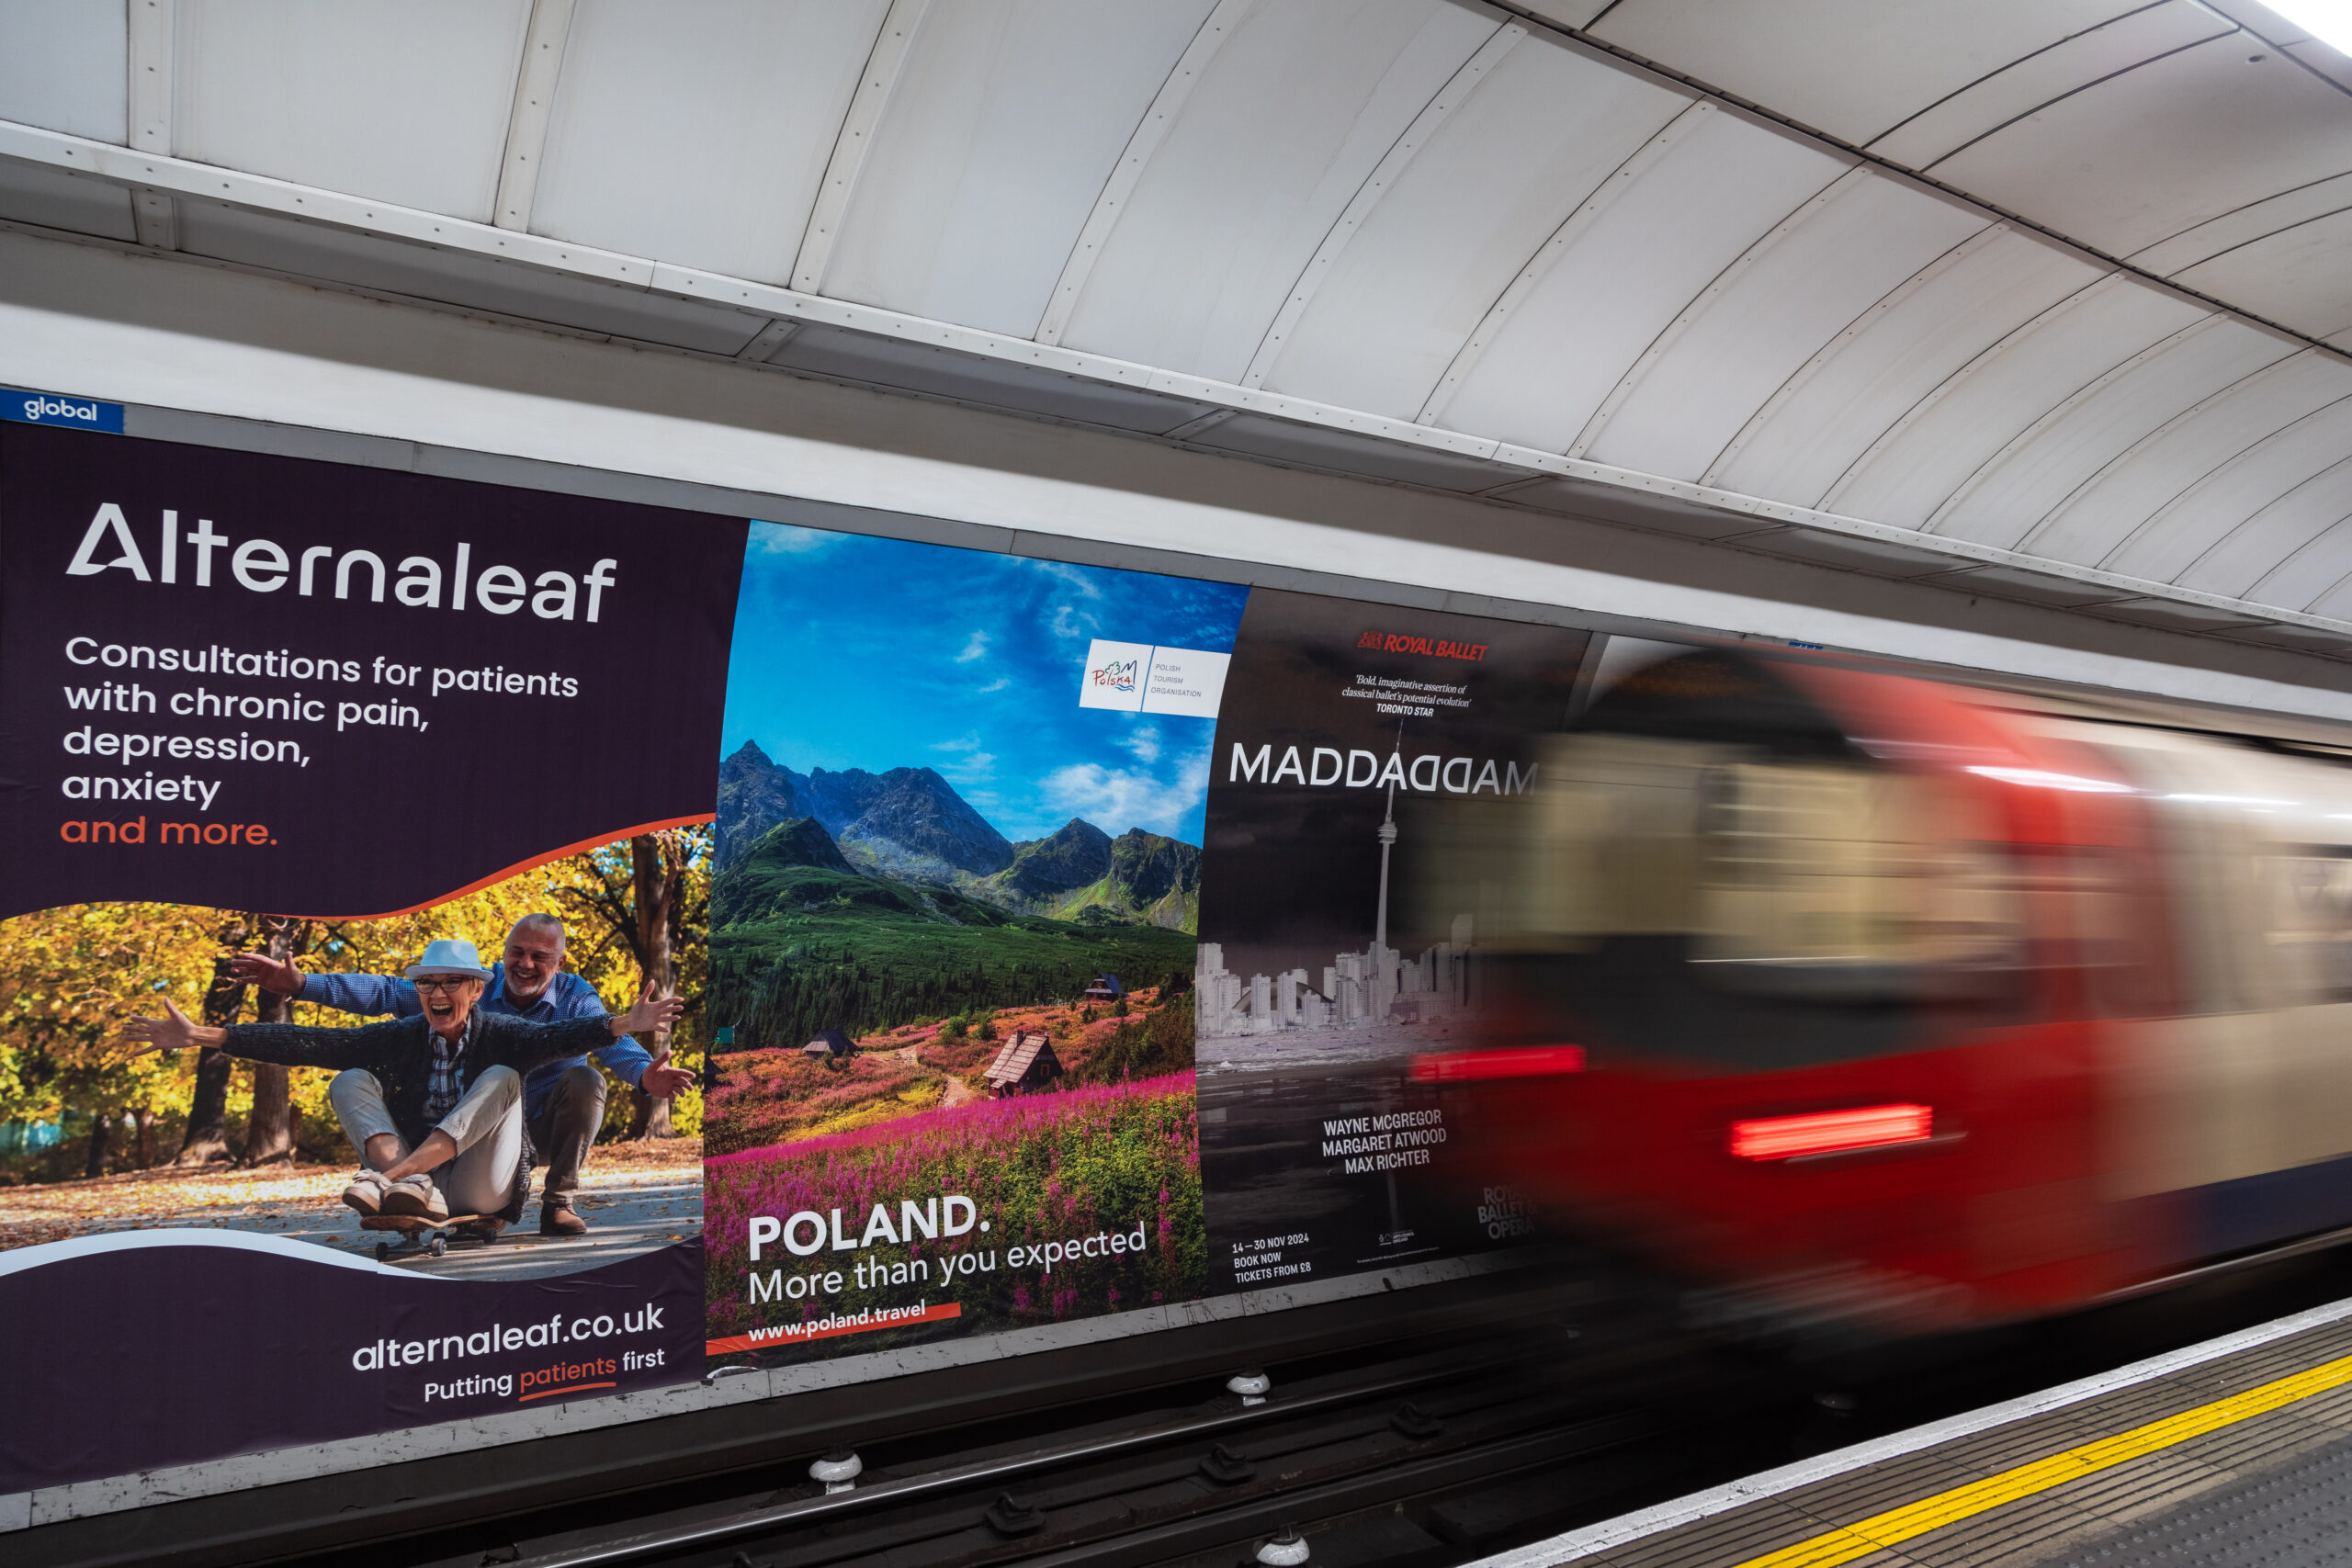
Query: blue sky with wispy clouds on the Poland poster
[874,655]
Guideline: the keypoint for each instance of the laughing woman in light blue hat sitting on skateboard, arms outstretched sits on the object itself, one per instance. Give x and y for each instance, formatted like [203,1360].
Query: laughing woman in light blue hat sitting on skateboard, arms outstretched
[432,1104]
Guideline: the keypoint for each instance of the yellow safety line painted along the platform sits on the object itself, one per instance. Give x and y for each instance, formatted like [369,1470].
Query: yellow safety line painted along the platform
[1913,1520]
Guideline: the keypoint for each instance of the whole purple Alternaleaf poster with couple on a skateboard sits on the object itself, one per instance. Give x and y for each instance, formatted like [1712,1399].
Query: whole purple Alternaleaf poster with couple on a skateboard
[352,956]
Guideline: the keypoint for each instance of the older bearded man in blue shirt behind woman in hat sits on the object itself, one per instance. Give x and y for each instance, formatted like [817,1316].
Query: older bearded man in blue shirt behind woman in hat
[563,1101]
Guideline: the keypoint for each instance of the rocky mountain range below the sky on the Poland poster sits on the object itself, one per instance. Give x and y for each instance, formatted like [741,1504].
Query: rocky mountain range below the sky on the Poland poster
[914,829]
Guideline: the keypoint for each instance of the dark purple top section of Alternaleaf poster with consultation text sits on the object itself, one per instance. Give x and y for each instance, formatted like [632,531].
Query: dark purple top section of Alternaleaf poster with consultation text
[281,685]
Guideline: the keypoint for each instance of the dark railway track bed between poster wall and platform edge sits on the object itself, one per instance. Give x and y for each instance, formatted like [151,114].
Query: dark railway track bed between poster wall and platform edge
[1382,1456]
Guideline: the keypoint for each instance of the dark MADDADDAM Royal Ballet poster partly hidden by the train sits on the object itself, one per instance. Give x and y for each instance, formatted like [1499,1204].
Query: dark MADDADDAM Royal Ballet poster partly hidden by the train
[1330,960]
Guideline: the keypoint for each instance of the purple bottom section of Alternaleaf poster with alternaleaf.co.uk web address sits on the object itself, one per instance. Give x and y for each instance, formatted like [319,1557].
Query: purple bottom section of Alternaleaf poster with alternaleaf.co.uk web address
[168,1348]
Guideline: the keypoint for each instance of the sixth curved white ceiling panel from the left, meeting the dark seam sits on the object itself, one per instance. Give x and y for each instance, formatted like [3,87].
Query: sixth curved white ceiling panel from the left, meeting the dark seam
[1464,217]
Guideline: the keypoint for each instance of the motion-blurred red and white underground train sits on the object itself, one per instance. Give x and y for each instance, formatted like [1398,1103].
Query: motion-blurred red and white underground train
[1873,998]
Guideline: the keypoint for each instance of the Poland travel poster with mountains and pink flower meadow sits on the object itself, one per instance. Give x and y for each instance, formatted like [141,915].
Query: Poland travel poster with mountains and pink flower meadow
[951,944]
